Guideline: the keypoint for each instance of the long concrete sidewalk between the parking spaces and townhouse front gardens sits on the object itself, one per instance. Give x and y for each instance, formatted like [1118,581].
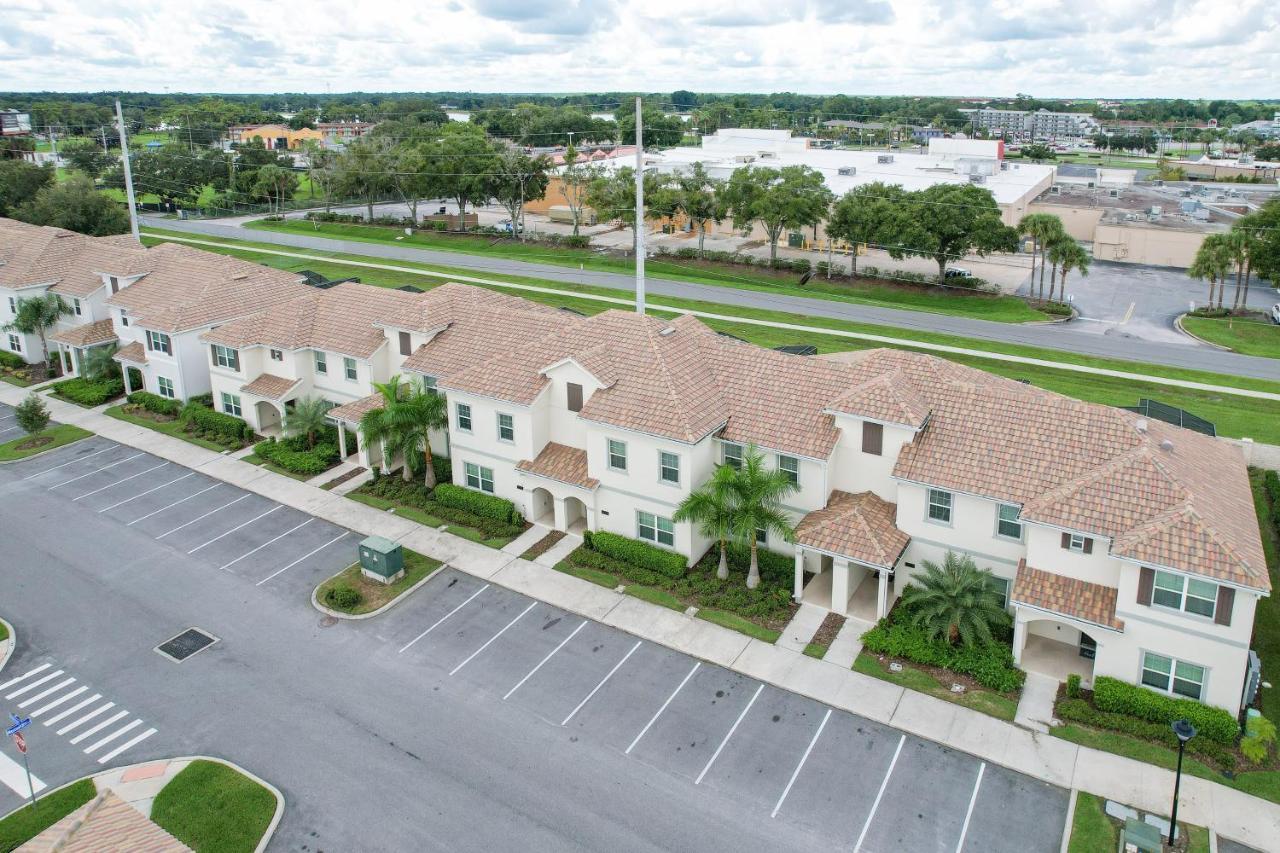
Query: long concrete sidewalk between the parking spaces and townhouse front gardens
[1233,814]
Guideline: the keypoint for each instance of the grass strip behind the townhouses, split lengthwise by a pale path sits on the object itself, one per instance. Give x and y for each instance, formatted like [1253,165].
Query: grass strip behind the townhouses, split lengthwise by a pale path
[1235,417]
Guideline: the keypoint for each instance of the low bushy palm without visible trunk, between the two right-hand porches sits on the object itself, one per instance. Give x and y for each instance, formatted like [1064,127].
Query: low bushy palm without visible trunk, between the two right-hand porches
[956,600]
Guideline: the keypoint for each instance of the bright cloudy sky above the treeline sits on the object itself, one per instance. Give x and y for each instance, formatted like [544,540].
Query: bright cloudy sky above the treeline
[1085,48]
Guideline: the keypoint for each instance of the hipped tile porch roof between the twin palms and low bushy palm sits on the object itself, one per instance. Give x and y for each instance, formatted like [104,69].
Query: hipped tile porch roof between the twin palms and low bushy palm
[861,527]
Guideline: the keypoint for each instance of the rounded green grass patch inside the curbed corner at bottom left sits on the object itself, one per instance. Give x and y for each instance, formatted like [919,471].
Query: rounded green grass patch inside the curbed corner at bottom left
[214,809]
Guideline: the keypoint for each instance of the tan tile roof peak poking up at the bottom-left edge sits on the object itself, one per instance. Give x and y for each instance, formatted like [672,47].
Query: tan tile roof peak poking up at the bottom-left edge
[107,824]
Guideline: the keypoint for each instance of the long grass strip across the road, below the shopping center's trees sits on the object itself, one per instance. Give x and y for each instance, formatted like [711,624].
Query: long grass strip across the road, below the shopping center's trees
[1003,309]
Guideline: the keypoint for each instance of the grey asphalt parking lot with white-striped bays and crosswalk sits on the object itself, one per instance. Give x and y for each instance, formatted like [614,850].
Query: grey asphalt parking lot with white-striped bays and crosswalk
[468,718]
